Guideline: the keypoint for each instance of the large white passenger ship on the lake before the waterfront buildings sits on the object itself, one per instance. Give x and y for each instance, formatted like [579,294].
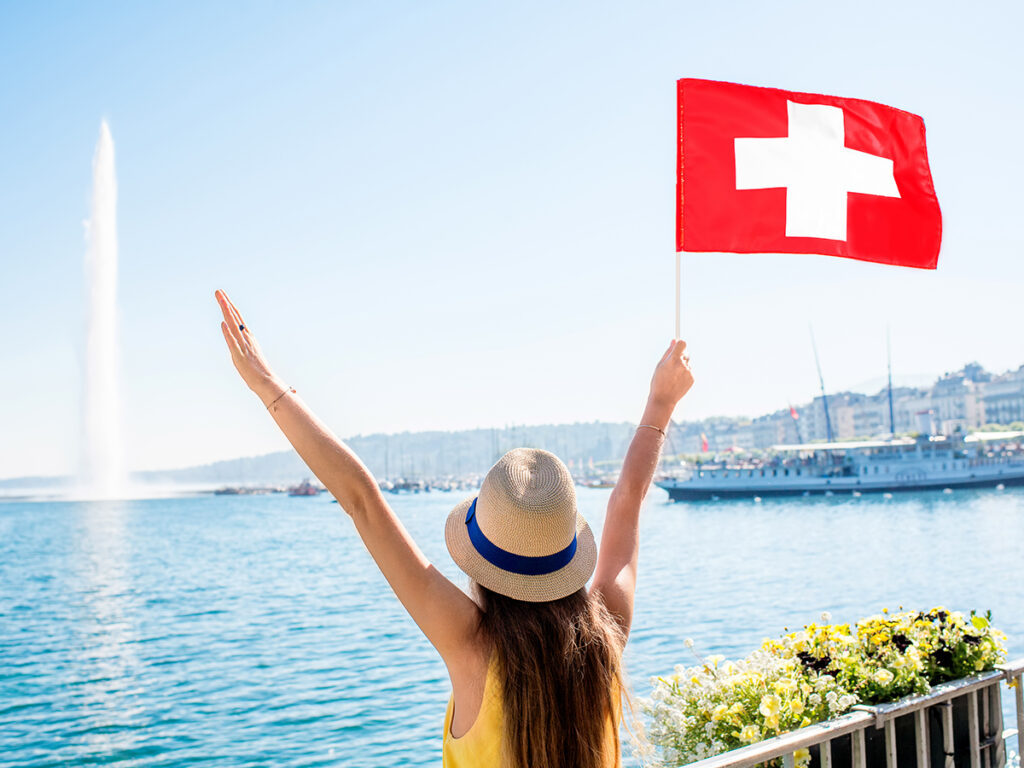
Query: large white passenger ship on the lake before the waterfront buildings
[927,462]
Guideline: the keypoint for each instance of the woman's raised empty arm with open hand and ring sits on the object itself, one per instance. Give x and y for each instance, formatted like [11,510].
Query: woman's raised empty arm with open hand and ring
[445,614]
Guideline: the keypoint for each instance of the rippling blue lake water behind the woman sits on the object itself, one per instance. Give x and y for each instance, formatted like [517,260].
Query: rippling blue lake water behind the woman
[257,630]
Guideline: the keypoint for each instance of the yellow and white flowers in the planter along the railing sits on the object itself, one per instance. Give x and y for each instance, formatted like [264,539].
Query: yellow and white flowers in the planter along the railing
[814,675]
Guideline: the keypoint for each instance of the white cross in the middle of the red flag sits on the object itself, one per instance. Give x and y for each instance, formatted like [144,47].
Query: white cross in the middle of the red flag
[817,169]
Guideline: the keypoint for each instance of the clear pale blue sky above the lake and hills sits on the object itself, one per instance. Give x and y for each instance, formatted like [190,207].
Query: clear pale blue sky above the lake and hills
[448,216]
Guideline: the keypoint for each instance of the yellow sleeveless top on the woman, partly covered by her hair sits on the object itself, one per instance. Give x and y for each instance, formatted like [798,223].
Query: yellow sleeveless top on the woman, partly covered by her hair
[481,746]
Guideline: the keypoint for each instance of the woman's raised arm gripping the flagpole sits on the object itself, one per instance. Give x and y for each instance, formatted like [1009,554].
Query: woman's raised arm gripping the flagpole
[616,575]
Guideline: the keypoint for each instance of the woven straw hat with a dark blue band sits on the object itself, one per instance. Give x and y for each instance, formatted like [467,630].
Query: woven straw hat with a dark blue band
[523,537]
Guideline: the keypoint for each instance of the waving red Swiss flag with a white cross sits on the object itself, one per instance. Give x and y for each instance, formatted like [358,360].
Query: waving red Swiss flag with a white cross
[762,170]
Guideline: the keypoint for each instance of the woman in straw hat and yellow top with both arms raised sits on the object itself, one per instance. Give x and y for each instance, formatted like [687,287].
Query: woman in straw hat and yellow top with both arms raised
[535,658]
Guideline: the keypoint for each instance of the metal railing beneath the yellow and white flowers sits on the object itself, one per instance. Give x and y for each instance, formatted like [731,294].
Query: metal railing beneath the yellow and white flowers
[986,737]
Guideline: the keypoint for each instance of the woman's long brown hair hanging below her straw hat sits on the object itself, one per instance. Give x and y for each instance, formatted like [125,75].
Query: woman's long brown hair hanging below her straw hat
[560,664]
